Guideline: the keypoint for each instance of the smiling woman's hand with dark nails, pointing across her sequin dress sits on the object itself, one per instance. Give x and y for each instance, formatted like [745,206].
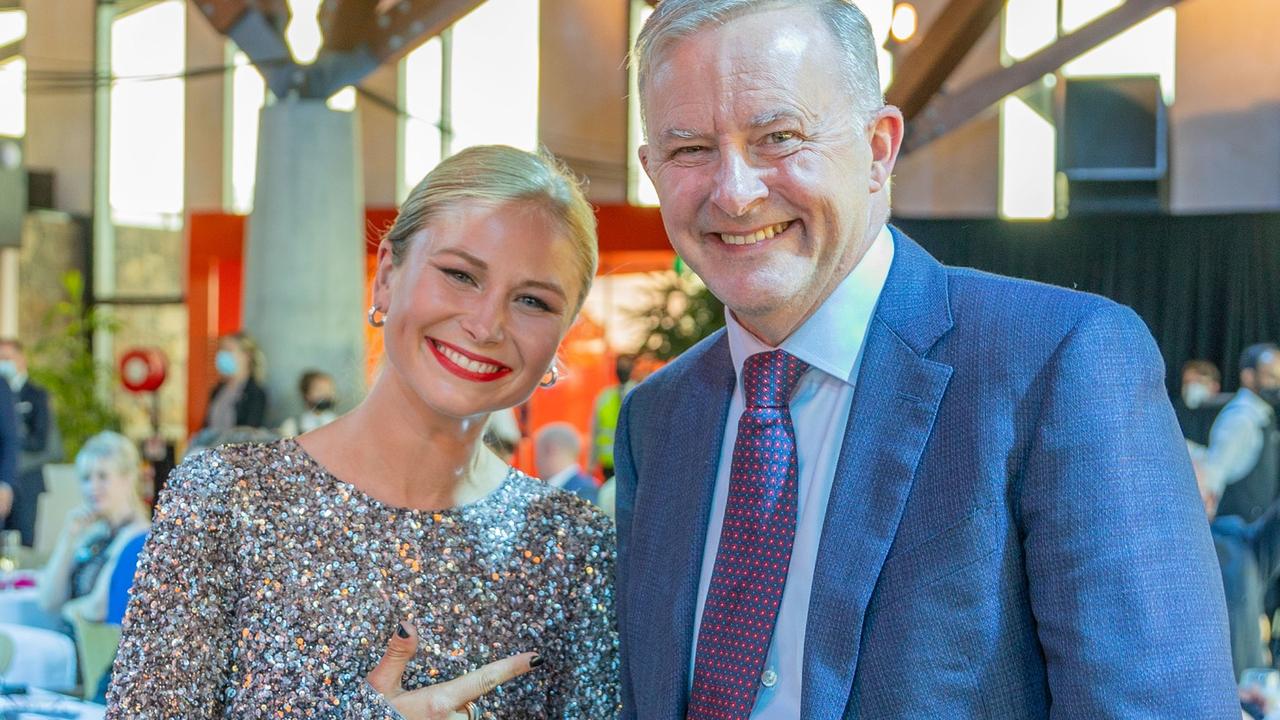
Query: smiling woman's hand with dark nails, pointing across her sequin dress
[442,701]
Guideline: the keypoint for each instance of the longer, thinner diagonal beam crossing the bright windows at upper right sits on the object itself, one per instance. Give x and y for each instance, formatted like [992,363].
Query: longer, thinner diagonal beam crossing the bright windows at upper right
[949,112]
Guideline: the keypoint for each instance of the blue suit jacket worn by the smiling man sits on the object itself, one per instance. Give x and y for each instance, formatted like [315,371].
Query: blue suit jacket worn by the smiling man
[1014,530]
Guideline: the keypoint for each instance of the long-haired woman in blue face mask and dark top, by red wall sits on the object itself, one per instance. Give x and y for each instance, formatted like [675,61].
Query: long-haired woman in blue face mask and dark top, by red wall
[239,399]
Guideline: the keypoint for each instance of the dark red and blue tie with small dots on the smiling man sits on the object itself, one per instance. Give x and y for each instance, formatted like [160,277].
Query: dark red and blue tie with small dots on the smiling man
[755,546]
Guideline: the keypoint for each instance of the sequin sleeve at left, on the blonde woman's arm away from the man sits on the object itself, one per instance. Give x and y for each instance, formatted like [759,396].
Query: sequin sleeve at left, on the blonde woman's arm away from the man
[176,646]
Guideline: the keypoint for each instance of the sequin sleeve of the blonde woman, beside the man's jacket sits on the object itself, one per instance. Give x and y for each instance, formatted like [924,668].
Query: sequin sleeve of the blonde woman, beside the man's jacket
[588,685]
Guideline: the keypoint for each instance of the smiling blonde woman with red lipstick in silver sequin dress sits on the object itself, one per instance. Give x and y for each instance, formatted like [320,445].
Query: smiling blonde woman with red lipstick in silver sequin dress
[390,566]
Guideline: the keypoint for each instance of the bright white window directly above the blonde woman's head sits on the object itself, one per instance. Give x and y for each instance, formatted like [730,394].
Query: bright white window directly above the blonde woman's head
[481,88]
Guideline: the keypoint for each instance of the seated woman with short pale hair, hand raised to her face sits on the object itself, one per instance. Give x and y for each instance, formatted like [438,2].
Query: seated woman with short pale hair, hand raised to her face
[76,581]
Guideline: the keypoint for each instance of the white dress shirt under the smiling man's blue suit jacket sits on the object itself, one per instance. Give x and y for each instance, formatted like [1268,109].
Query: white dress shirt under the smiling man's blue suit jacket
[831,341]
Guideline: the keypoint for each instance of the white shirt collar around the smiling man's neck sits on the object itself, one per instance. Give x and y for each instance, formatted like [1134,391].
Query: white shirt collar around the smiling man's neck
[833,339]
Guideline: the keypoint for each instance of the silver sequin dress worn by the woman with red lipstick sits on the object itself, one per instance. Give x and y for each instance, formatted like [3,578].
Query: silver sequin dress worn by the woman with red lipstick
[269,589]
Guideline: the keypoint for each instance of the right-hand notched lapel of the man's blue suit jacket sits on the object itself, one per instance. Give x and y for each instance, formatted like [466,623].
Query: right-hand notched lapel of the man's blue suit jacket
[893,416]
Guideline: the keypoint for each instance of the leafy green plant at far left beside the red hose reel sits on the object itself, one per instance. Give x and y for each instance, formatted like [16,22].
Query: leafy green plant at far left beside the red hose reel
[63,363]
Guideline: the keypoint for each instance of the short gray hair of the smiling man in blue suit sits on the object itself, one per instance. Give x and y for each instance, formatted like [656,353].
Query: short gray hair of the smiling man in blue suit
[678,20]
